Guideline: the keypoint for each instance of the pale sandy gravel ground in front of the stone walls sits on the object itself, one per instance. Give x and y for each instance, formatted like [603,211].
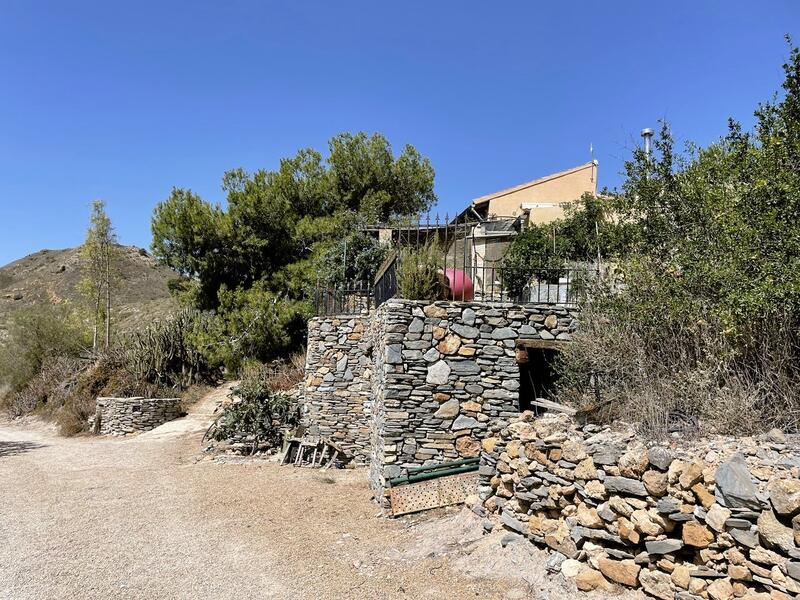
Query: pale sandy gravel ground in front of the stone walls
[149,517]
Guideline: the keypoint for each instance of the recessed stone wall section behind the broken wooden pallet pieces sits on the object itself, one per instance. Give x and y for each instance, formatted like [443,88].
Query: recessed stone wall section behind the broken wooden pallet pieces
[337,394]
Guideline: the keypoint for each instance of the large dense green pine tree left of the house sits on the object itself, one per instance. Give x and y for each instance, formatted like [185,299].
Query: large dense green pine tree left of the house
[255,262]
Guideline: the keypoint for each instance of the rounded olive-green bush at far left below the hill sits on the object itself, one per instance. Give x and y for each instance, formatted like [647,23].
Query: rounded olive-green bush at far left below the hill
[37,335]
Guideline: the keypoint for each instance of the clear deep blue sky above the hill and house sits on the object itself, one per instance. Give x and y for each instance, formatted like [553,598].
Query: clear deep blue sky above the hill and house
[122,101]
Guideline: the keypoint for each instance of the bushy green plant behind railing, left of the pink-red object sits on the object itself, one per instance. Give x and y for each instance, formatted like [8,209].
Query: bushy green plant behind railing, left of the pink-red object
[418,272]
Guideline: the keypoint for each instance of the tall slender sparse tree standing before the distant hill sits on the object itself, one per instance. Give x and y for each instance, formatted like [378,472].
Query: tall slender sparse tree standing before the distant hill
[100,259]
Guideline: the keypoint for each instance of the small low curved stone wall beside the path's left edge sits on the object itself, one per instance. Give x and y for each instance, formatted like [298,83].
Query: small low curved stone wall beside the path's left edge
[121,416]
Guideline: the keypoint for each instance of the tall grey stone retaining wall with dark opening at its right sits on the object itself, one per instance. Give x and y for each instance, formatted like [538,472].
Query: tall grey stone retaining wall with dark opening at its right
[444,373]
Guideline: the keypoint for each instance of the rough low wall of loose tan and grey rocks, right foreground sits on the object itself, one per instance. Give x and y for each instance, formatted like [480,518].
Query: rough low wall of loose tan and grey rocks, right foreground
[719,518]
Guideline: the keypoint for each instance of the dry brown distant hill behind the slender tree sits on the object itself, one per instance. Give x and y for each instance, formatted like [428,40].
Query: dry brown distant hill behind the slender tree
[53,276]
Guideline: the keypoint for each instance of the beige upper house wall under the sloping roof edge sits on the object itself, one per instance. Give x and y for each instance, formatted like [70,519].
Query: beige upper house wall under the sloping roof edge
[550,191]
